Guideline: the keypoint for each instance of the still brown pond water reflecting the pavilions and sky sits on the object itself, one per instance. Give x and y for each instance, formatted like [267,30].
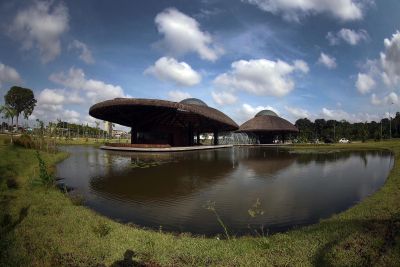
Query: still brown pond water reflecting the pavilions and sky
[172,190]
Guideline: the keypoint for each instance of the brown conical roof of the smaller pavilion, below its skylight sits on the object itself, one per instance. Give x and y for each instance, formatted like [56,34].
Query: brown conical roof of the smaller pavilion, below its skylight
[267,123]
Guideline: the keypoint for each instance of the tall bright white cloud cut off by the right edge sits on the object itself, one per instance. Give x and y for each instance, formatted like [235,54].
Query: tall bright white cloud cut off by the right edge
[390,60]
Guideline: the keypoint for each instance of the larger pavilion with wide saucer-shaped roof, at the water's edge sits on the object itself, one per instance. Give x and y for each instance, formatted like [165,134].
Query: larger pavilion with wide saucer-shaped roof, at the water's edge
[164,122]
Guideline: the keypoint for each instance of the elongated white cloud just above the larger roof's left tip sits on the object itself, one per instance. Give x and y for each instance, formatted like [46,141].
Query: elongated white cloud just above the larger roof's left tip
[95,90]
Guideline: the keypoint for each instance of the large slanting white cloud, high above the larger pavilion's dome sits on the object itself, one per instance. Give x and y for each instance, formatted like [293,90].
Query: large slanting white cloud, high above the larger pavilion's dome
[182,34]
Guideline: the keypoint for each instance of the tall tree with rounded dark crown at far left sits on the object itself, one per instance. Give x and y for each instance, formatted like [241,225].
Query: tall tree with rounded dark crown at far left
[21,100]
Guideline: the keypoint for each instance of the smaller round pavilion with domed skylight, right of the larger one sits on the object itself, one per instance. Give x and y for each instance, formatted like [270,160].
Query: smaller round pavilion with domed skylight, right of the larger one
[268,126]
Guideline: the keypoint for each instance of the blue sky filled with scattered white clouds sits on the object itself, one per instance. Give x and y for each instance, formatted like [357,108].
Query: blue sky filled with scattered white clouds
[312,58]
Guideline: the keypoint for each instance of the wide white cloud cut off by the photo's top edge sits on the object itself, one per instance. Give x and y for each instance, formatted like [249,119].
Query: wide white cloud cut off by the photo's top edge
[294,10]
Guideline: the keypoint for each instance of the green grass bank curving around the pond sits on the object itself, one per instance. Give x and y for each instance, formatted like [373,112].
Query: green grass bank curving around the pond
[43,227]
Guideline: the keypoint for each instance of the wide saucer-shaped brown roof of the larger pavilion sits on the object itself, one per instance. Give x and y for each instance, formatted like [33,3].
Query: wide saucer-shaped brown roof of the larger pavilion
[153,113]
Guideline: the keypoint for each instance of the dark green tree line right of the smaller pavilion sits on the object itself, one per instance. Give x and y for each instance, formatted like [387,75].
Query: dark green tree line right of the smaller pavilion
[333,130]
